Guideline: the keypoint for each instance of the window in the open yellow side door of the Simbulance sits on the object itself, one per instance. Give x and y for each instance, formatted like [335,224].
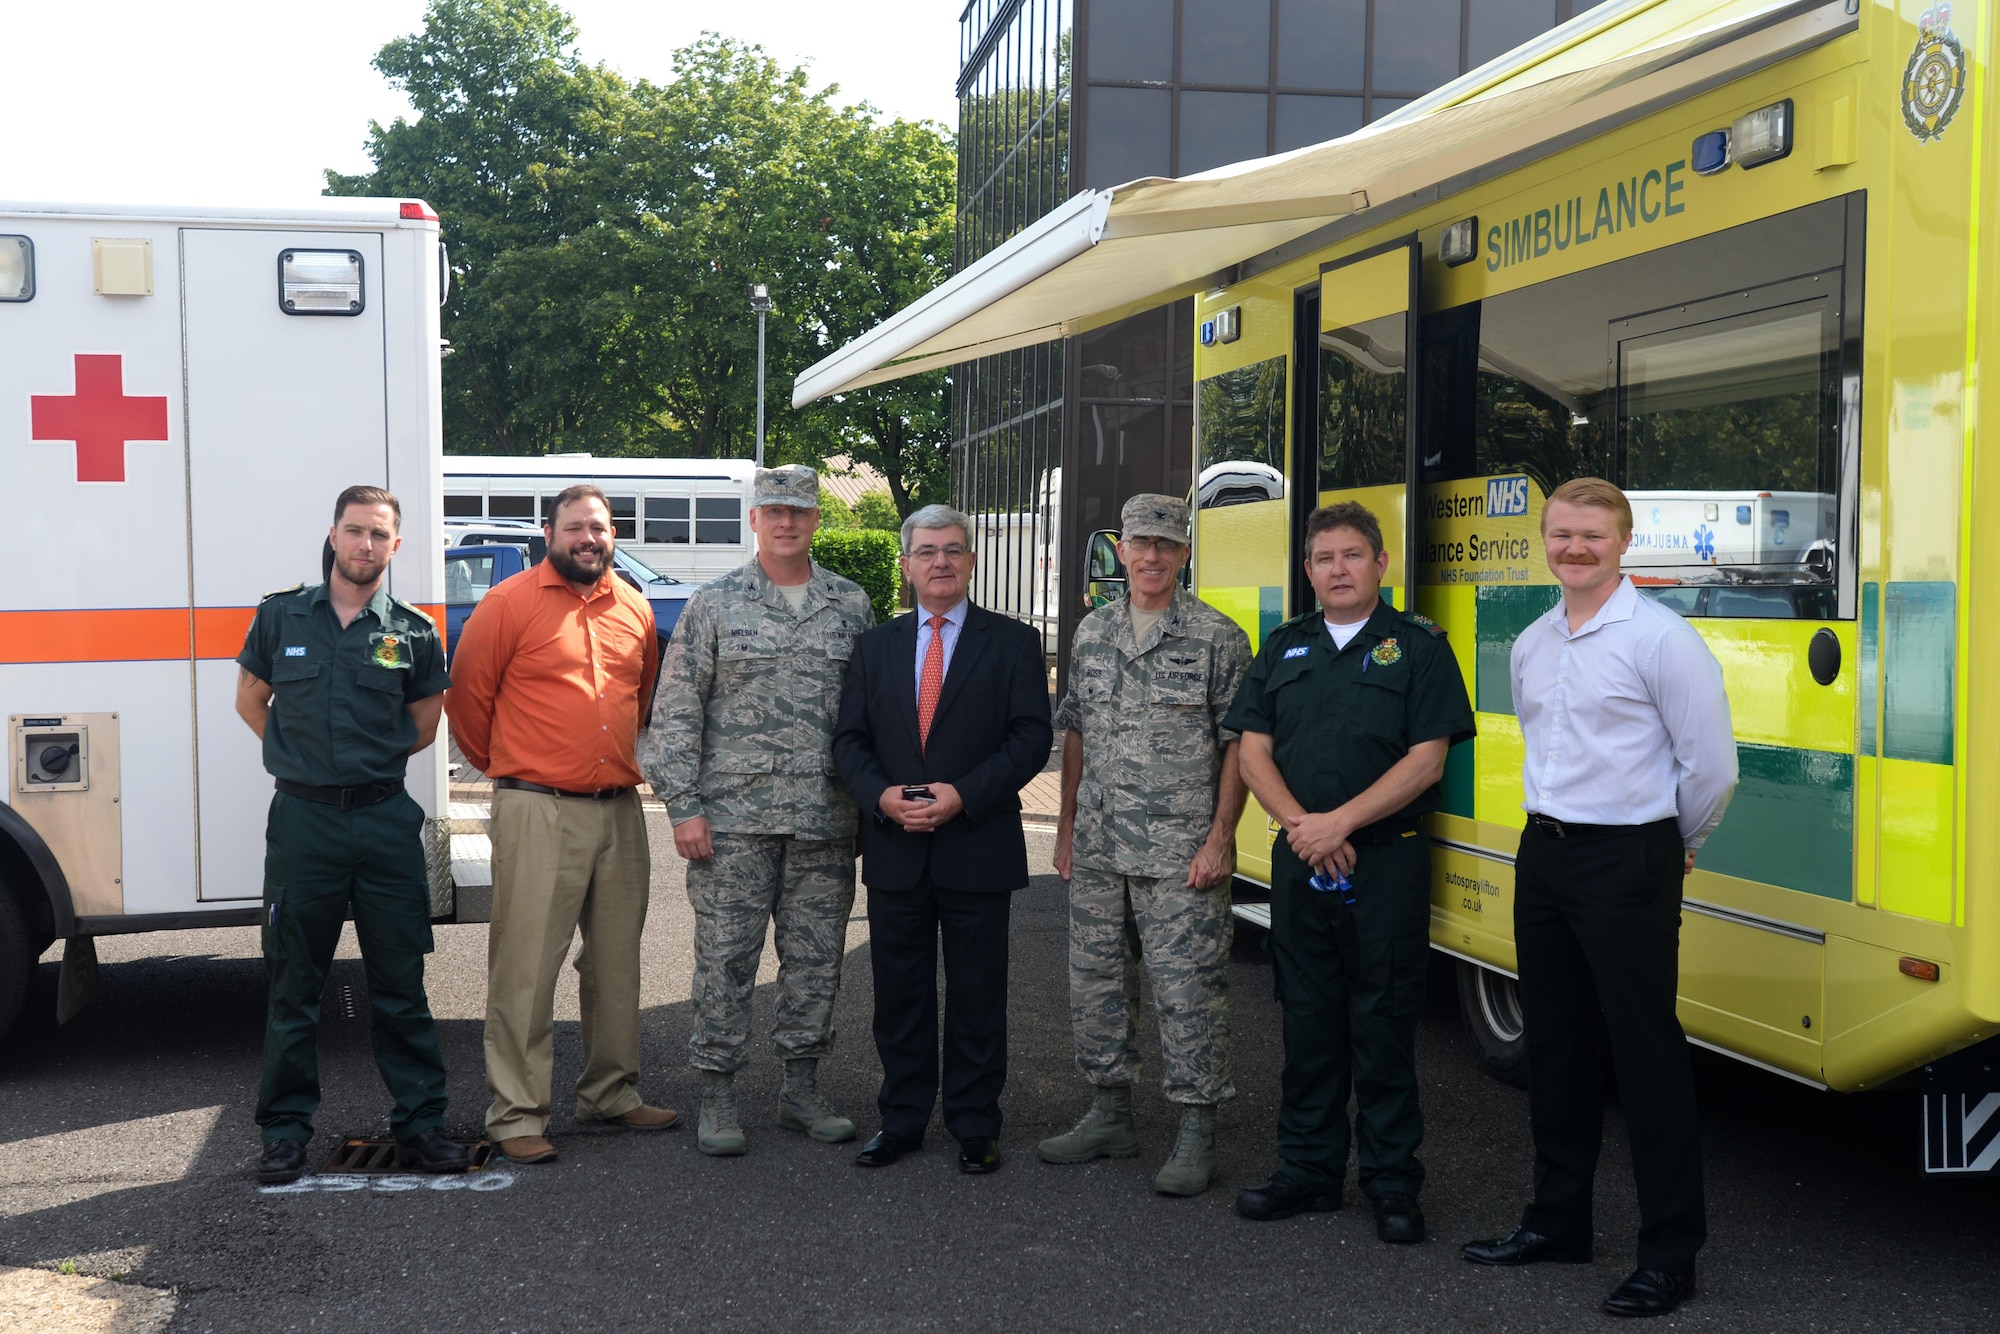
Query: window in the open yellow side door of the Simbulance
[1363,405]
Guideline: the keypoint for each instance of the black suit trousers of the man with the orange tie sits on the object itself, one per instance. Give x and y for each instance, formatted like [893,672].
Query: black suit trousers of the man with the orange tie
[905,929]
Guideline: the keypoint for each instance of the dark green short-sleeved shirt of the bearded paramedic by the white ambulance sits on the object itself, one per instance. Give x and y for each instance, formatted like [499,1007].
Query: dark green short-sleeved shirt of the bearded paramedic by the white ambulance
[341,697]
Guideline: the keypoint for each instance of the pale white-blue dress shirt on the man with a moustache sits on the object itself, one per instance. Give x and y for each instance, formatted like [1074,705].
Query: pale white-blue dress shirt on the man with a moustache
[1625,721]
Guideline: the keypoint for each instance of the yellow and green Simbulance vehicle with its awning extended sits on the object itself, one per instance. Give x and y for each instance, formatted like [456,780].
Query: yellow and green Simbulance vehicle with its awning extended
[1733,257]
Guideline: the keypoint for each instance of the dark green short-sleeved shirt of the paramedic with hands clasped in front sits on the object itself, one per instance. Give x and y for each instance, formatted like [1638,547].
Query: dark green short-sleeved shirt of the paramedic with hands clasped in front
[1343,717]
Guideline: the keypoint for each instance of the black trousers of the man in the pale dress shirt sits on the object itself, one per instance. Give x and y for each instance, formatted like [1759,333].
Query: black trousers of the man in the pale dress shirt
[1597,927]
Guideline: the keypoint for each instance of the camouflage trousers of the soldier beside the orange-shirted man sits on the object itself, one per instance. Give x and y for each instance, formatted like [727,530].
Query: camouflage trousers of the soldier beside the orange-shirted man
[805,891]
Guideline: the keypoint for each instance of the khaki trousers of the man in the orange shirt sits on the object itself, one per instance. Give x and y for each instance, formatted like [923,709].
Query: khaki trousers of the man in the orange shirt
[563,865]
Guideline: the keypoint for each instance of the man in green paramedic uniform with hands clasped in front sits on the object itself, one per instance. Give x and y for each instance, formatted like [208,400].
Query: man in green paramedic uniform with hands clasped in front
[1347,717]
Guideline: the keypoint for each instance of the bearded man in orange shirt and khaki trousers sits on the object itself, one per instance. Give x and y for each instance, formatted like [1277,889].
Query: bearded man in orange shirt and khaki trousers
[547,695]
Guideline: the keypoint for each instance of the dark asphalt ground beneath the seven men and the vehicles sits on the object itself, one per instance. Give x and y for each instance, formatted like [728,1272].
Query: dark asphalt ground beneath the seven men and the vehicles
[127,1147]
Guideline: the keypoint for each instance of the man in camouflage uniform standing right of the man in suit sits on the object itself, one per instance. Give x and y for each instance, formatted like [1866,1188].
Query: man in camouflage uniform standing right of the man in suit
[1147,841]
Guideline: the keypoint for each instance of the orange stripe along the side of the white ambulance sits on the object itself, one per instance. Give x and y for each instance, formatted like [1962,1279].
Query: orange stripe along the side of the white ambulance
[135,635]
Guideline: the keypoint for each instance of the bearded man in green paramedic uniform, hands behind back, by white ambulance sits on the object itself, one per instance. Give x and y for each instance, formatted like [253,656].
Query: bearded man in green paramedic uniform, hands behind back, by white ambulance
[345,683]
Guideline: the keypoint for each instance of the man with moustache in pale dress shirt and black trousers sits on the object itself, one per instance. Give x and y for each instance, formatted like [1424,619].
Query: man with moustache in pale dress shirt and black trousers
[1629,765]
